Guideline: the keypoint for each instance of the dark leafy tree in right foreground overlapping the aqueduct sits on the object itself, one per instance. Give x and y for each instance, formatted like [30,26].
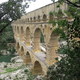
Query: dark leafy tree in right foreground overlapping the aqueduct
[68,68]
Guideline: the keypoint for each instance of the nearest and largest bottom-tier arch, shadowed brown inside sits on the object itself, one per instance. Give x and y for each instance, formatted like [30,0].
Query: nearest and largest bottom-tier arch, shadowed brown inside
[37,69]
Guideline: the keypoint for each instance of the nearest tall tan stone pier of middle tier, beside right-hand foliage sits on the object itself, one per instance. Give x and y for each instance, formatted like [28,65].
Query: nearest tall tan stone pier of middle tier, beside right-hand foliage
[52,50]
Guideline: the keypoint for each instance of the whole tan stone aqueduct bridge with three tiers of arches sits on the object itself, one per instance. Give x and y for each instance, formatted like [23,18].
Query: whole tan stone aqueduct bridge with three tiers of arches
[27,33]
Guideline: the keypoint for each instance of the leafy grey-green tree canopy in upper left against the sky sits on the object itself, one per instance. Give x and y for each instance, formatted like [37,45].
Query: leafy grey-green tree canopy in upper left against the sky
[12,10]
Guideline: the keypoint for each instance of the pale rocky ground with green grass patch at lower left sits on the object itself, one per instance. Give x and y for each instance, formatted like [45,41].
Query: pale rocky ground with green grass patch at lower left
[16,70]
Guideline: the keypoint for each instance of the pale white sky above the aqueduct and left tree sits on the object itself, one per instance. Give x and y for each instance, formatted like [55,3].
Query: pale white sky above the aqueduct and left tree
[34,5]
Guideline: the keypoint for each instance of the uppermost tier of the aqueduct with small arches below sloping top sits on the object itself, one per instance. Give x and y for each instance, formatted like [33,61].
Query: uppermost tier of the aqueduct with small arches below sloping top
[42,14]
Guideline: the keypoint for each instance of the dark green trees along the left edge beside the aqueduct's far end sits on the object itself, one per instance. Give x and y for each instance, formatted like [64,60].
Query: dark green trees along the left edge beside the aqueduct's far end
[10,11]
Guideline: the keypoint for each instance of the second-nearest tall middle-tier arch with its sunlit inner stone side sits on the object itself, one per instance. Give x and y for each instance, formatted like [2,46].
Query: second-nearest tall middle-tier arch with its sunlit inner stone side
[37,36]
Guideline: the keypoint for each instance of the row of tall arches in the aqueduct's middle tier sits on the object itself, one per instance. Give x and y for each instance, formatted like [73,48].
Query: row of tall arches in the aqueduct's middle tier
[38,39]
